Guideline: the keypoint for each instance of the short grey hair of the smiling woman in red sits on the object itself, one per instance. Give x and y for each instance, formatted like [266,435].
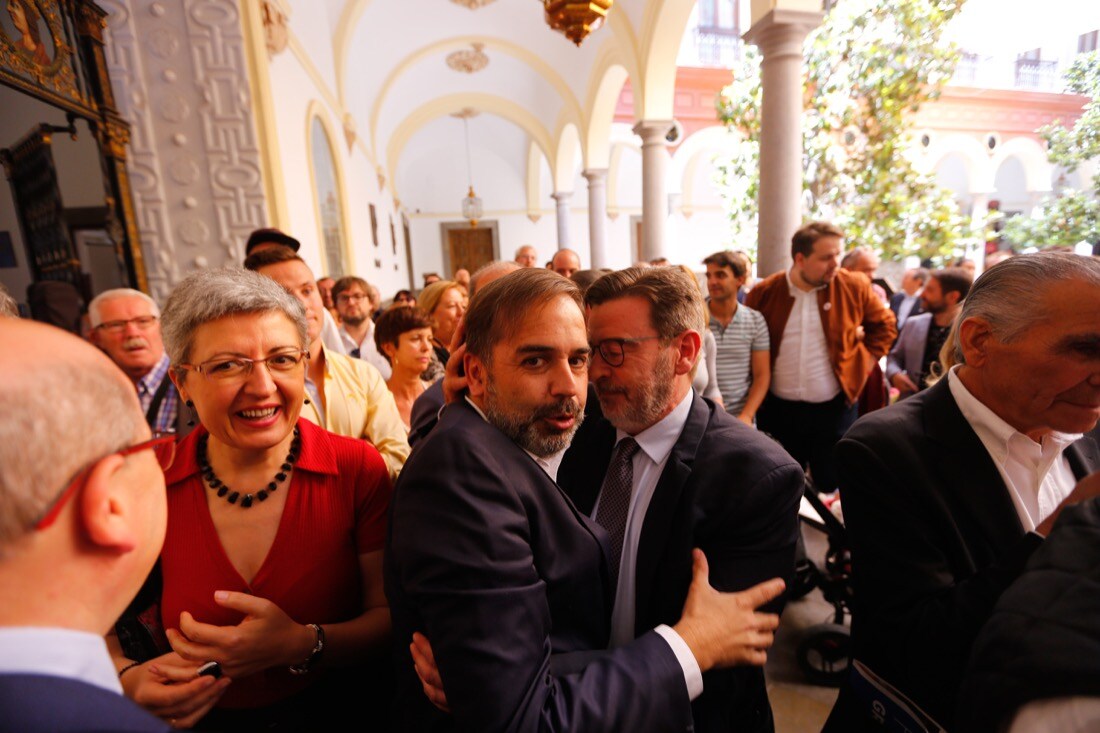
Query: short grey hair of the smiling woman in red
[213,294]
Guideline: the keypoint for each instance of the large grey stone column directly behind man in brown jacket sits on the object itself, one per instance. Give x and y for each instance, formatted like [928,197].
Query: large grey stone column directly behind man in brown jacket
[779,36]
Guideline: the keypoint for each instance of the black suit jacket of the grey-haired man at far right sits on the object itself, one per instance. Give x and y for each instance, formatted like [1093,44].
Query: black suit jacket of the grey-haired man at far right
[936,542]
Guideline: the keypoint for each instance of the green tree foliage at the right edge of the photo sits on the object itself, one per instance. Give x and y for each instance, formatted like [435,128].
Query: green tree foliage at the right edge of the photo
[1073,216]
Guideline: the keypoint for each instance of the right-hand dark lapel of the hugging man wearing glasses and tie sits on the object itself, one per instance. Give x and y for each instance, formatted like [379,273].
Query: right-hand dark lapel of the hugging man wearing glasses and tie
[663,513]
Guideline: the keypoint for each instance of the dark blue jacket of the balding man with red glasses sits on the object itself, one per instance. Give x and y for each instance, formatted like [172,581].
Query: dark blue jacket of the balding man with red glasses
[39,704]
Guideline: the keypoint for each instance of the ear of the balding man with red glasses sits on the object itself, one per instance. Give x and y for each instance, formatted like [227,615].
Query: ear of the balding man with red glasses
[106,507]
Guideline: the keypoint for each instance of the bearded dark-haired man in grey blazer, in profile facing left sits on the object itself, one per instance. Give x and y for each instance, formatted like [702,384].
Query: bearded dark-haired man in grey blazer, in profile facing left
[911,359]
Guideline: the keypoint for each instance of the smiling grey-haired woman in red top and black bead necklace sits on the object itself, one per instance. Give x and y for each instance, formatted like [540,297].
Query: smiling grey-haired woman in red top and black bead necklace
[272,564]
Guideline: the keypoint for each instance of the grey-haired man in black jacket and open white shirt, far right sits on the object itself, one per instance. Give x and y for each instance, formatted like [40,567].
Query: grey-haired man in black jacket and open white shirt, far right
[948,495]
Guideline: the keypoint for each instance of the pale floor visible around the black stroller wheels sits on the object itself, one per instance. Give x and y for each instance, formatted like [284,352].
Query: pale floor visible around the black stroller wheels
[799,707]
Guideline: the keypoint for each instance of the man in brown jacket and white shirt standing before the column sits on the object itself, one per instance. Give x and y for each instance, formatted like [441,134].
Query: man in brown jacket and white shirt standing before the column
[828,331]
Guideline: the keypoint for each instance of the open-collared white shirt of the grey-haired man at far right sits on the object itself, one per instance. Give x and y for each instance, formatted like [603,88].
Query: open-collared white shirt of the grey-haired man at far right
[1038,476]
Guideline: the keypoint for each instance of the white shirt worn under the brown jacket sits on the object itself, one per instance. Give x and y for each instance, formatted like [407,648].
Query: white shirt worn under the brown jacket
[804,370]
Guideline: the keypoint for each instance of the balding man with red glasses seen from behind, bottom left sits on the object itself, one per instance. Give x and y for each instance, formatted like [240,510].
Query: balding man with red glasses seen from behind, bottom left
[83,522]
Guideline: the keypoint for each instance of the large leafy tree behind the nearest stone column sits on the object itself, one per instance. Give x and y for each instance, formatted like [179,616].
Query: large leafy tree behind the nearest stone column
[871,67]
